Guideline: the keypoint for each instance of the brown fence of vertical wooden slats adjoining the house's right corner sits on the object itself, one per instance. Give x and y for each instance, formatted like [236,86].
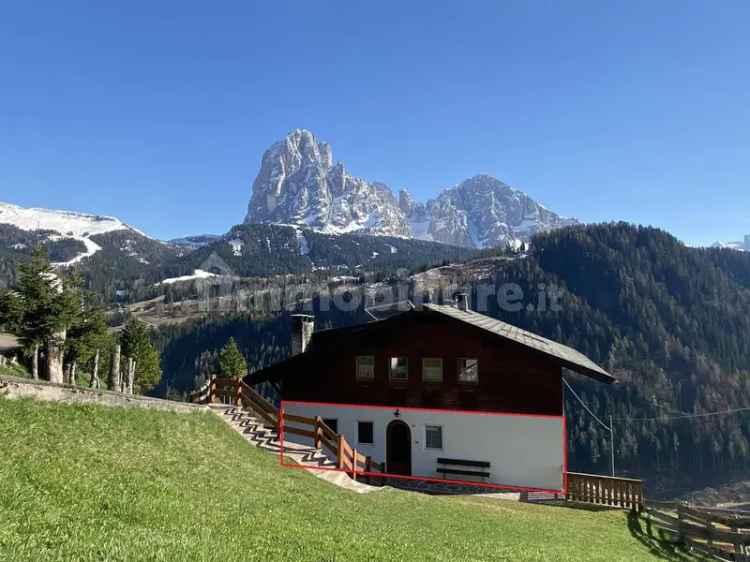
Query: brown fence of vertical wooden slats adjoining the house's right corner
[611,491]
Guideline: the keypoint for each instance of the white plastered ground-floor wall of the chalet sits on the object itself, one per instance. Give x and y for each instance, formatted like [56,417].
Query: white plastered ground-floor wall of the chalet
[523,451]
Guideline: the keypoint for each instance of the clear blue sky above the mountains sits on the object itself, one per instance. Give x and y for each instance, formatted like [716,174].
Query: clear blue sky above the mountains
[159,112]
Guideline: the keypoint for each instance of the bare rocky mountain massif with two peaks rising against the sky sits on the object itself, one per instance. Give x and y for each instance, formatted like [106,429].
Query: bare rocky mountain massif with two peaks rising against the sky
[299,184]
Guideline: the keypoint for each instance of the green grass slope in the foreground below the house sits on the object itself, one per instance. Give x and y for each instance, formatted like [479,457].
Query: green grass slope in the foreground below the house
[94,483]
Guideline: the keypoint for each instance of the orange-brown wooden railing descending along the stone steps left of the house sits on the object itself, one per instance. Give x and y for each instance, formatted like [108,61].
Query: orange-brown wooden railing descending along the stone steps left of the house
[230,391]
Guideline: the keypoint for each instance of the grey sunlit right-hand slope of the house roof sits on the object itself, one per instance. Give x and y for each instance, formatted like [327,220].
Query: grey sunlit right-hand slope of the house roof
[568,357]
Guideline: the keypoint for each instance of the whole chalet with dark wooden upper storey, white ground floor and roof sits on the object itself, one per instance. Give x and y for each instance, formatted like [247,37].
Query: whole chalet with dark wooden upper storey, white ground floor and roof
[475,386]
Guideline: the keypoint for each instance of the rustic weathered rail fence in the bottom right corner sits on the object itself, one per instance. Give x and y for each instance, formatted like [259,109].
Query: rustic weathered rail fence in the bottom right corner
[720,534]
